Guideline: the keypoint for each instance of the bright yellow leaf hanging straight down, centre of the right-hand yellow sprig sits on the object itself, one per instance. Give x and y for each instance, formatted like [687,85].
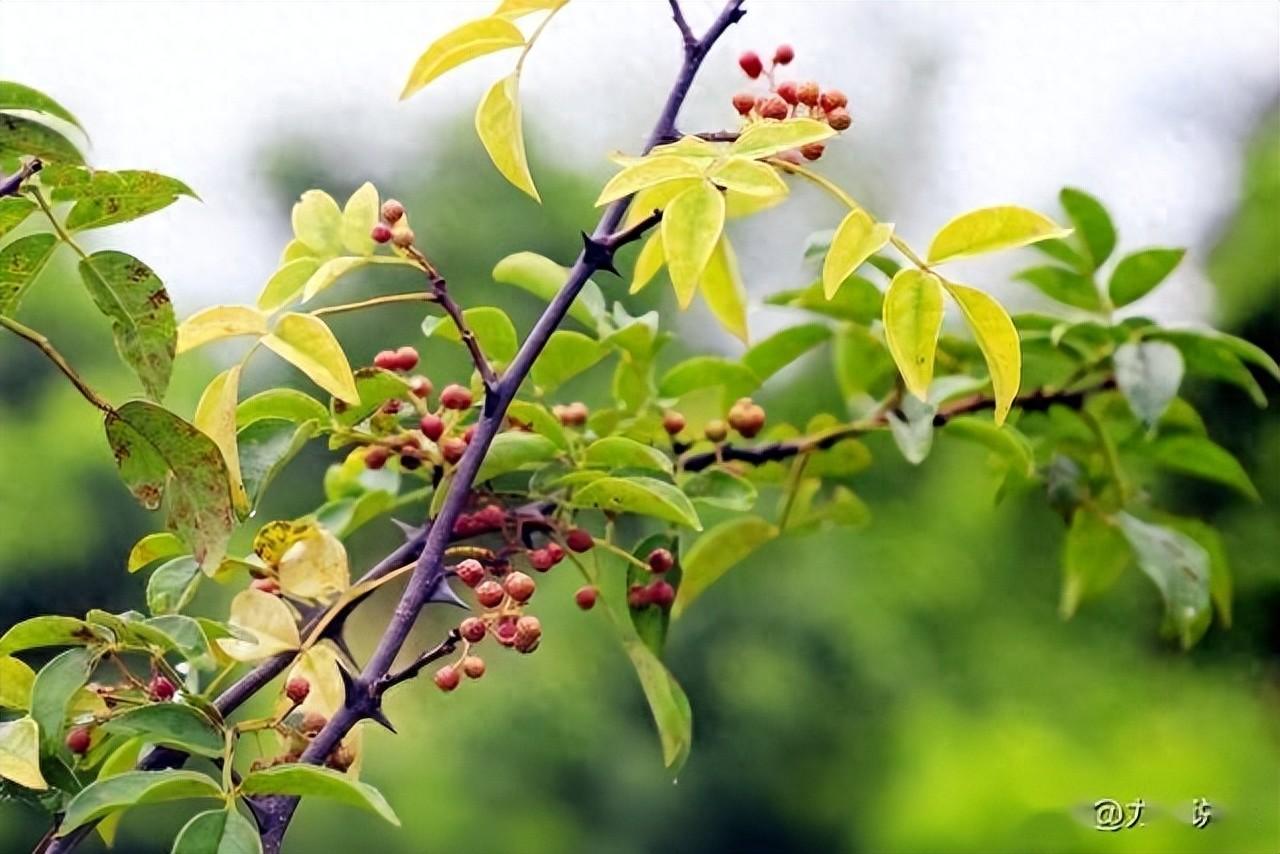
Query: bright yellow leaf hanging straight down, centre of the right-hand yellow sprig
[913,321]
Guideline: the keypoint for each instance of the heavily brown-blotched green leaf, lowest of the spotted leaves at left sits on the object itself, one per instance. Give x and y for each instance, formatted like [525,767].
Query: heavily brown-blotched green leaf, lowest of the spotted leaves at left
[162,456]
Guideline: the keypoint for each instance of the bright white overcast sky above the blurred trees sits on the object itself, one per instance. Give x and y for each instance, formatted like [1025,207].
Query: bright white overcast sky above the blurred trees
[1144,104]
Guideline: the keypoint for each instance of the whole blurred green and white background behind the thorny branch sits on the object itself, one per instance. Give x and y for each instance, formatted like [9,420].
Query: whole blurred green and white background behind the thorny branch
[907,688]
